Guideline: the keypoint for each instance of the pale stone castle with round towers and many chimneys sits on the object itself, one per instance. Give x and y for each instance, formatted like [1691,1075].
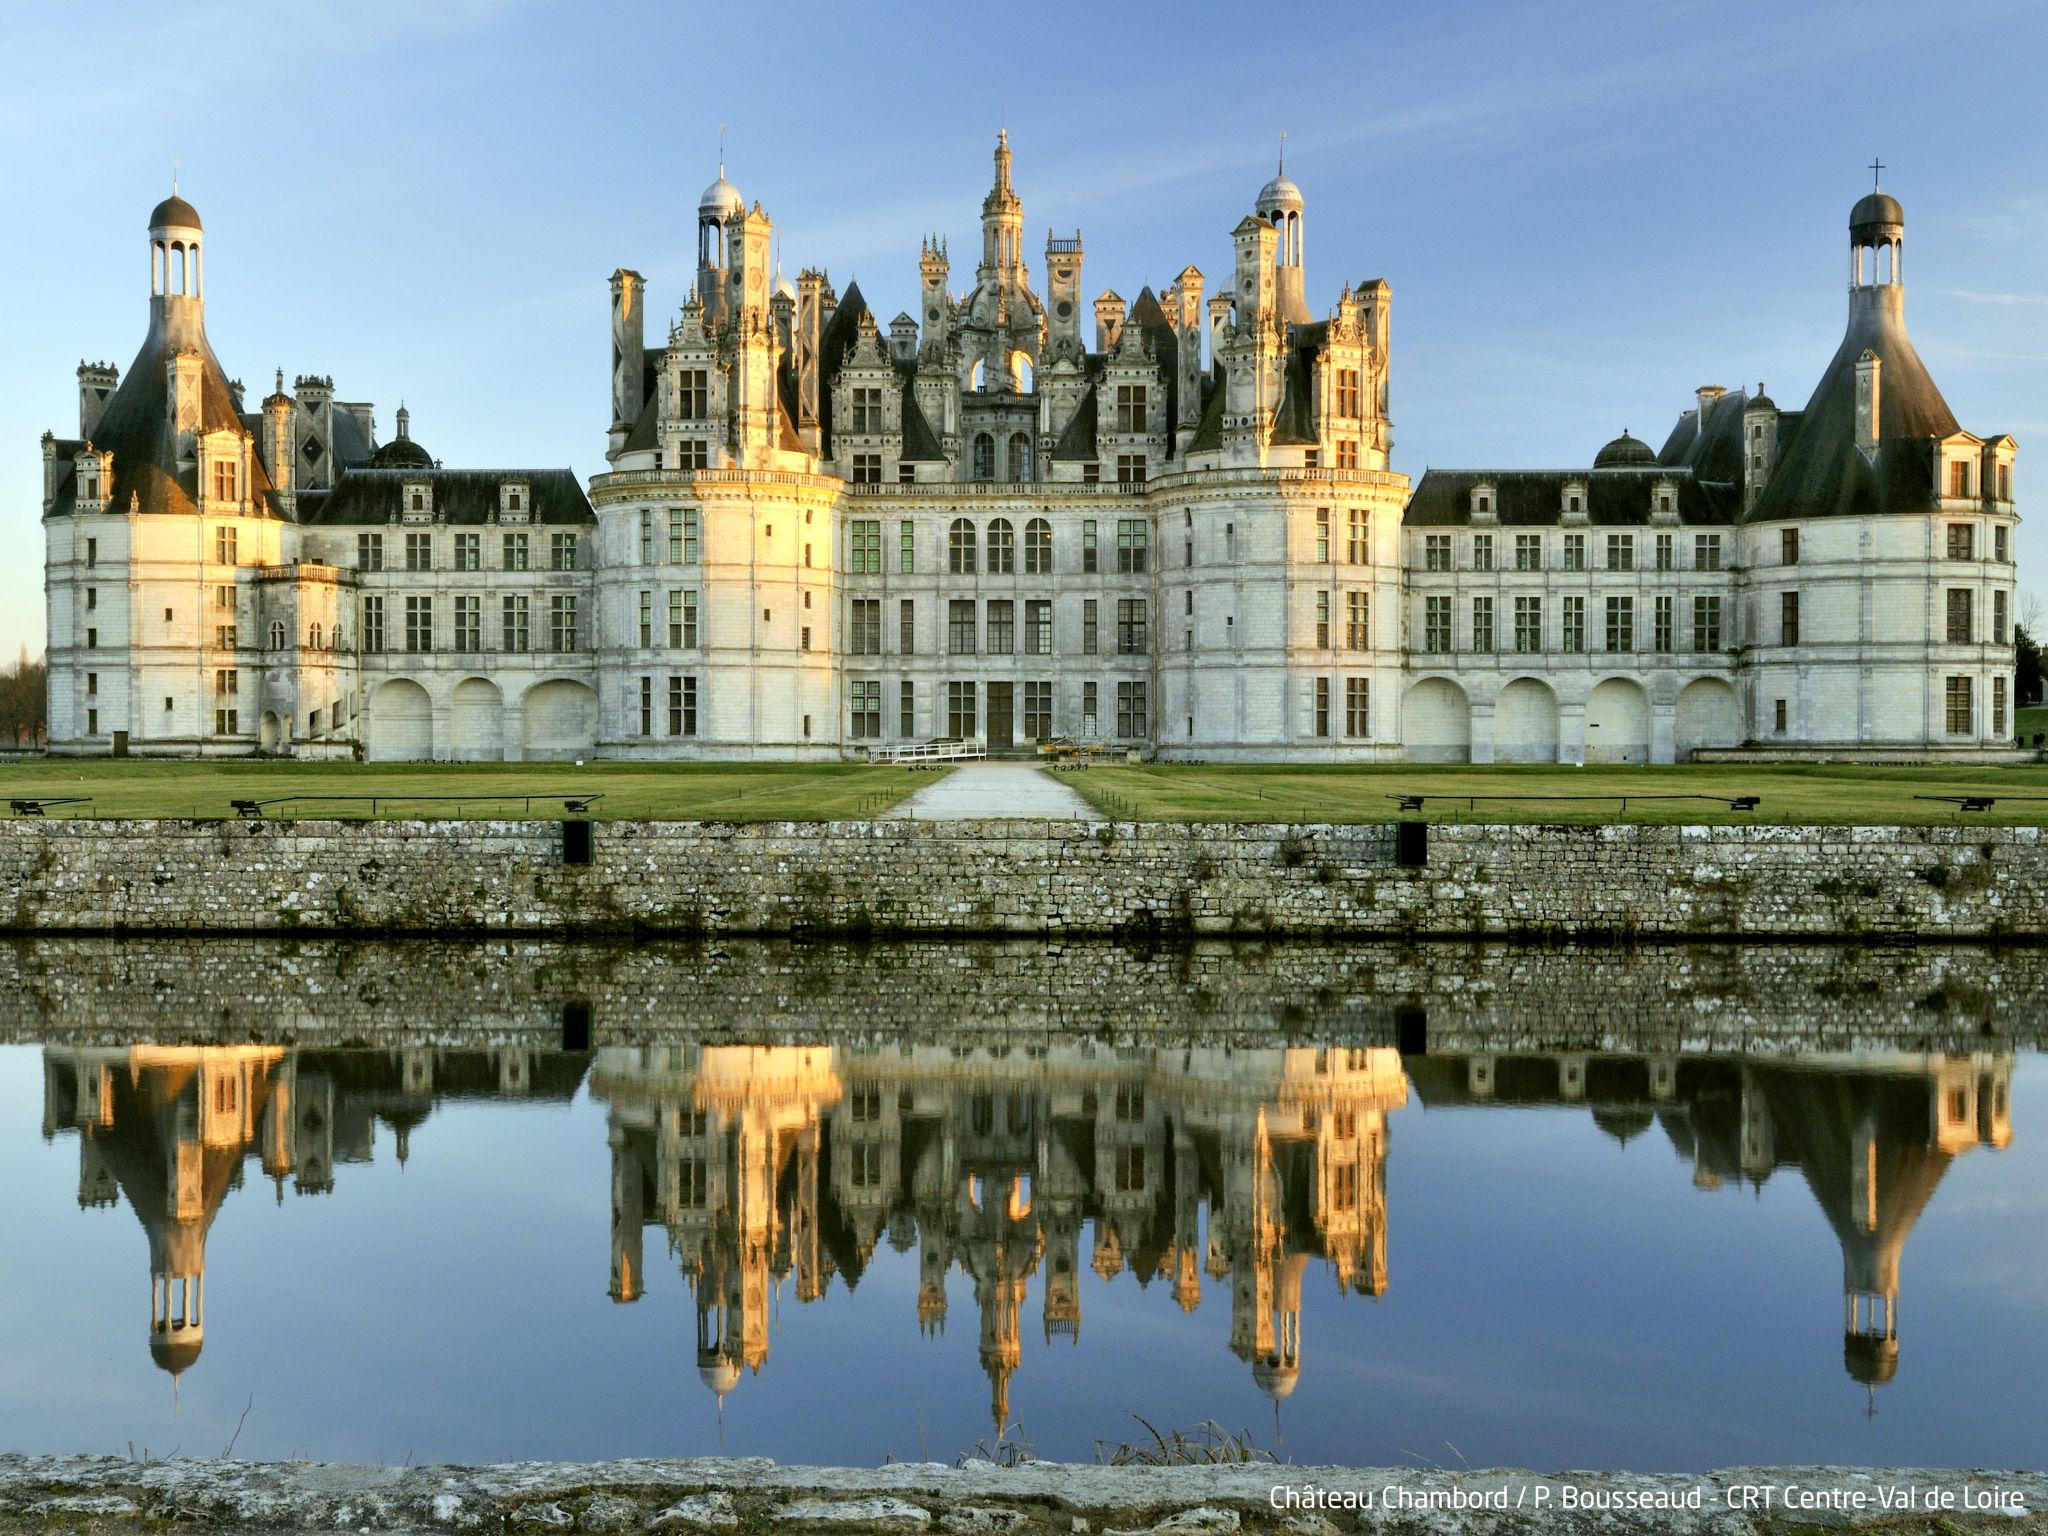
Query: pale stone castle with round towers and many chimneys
[820,536]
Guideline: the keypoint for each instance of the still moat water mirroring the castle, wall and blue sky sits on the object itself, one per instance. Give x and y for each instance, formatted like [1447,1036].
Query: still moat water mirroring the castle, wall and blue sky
[562,1207]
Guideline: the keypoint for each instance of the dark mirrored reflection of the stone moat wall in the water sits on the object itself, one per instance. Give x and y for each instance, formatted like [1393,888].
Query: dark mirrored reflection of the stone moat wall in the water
[1465,996]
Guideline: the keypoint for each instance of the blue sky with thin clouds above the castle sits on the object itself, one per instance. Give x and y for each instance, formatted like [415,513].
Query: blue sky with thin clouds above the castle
[1584,210]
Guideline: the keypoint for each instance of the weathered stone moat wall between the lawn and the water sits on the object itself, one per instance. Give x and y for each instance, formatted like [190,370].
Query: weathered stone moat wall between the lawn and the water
[1021,878]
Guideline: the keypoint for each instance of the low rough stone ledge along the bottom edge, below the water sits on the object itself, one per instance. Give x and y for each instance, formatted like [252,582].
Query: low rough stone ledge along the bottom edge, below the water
[982,1500]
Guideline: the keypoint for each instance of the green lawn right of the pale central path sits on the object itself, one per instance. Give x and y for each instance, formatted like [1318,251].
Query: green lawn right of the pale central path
[1797,794]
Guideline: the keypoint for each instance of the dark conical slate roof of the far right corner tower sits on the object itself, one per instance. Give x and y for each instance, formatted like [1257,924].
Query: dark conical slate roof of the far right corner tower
[1820,468]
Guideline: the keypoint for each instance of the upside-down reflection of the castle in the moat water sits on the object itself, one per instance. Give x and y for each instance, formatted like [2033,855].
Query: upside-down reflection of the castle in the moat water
[1185,1164]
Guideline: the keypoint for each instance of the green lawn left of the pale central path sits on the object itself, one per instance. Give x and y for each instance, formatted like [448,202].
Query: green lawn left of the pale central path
[632,790]
